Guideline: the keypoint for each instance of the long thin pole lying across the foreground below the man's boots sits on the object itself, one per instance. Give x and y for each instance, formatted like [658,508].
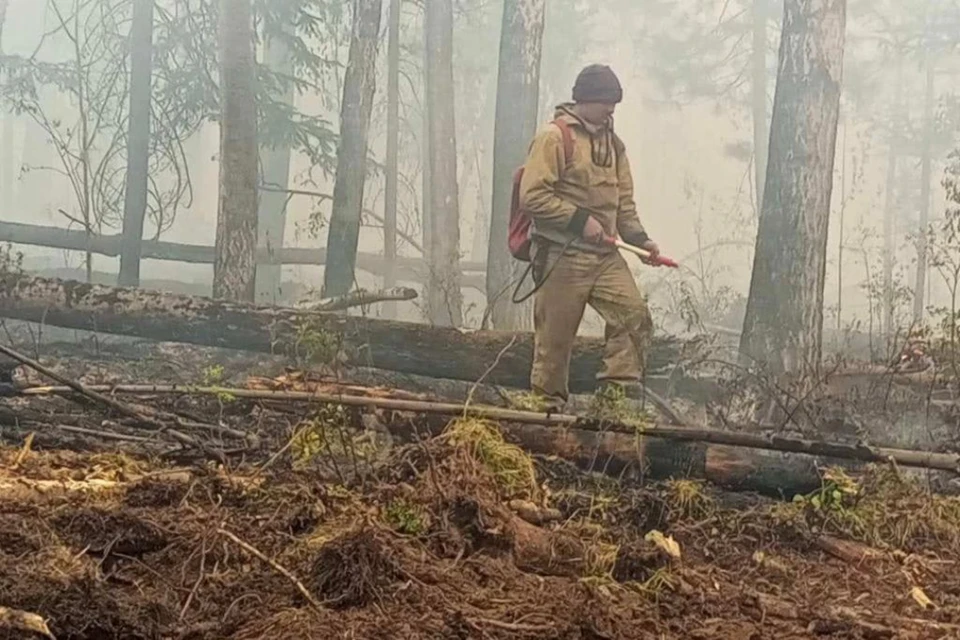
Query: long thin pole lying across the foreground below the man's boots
[860,452]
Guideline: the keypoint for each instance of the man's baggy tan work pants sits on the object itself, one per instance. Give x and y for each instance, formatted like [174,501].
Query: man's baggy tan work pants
[579,278]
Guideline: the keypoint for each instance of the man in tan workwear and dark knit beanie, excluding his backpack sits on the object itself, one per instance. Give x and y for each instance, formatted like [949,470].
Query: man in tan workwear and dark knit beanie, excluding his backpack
[578,190]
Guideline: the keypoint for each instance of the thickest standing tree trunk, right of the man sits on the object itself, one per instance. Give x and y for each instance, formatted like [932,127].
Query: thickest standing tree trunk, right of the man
[784,317]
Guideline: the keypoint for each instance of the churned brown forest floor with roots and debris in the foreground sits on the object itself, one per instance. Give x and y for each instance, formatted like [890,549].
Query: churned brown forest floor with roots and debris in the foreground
[319,528]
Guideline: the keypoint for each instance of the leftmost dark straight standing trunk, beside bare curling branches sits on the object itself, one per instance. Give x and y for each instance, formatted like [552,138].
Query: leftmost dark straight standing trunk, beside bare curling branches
[138,142]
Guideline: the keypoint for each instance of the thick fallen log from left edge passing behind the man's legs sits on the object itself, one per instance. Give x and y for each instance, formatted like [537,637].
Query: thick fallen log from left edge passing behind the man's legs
[397,346]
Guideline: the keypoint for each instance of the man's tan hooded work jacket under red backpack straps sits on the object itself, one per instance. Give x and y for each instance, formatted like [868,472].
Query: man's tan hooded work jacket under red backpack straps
[597,182]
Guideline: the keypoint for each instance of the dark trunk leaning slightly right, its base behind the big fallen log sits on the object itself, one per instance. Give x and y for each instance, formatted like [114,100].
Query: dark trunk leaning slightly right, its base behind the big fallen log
[359,85]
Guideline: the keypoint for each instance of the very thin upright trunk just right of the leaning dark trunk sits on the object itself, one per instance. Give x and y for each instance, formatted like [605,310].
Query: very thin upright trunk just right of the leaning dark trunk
[393,156]
